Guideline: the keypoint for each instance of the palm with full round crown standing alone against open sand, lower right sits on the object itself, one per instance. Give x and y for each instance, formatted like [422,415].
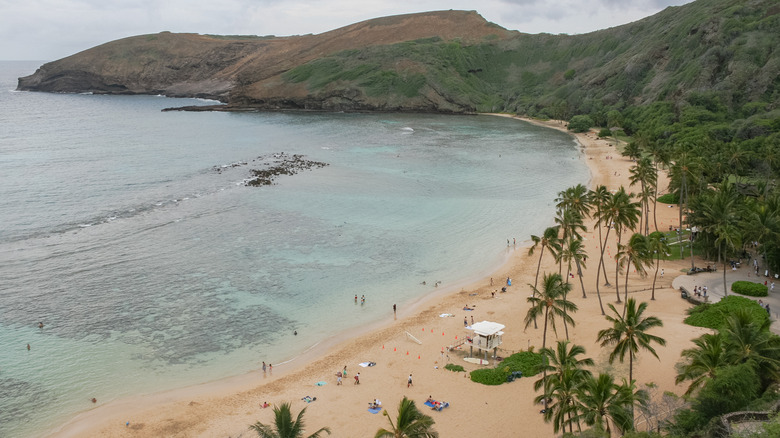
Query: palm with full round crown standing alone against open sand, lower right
[629,333]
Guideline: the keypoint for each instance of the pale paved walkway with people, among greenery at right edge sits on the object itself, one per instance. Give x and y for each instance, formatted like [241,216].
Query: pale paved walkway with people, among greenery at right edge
[714,283]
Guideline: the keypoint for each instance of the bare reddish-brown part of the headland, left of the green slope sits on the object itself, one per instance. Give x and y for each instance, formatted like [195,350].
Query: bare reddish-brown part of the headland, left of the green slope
[246,72]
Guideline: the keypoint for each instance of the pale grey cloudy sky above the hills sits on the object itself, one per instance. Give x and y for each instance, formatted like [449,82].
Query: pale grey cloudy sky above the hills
[52,29]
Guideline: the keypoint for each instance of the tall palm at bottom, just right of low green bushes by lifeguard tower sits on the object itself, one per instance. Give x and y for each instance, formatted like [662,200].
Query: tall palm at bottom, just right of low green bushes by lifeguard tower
[566,376]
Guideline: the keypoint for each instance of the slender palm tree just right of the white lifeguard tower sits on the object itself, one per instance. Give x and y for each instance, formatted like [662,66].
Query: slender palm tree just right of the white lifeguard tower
[551,303]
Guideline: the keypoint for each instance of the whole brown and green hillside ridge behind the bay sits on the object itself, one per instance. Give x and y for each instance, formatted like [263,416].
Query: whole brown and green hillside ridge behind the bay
[451,61]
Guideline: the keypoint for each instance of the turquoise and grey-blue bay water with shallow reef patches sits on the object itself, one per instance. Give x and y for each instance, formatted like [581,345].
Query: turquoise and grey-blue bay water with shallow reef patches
[130,234]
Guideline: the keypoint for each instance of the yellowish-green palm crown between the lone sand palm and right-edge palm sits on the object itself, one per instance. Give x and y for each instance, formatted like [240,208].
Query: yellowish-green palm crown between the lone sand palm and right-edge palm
[702,361]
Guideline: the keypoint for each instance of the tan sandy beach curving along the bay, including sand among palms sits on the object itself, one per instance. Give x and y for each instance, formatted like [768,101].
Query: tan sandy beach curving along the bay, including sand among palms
[228,407]
